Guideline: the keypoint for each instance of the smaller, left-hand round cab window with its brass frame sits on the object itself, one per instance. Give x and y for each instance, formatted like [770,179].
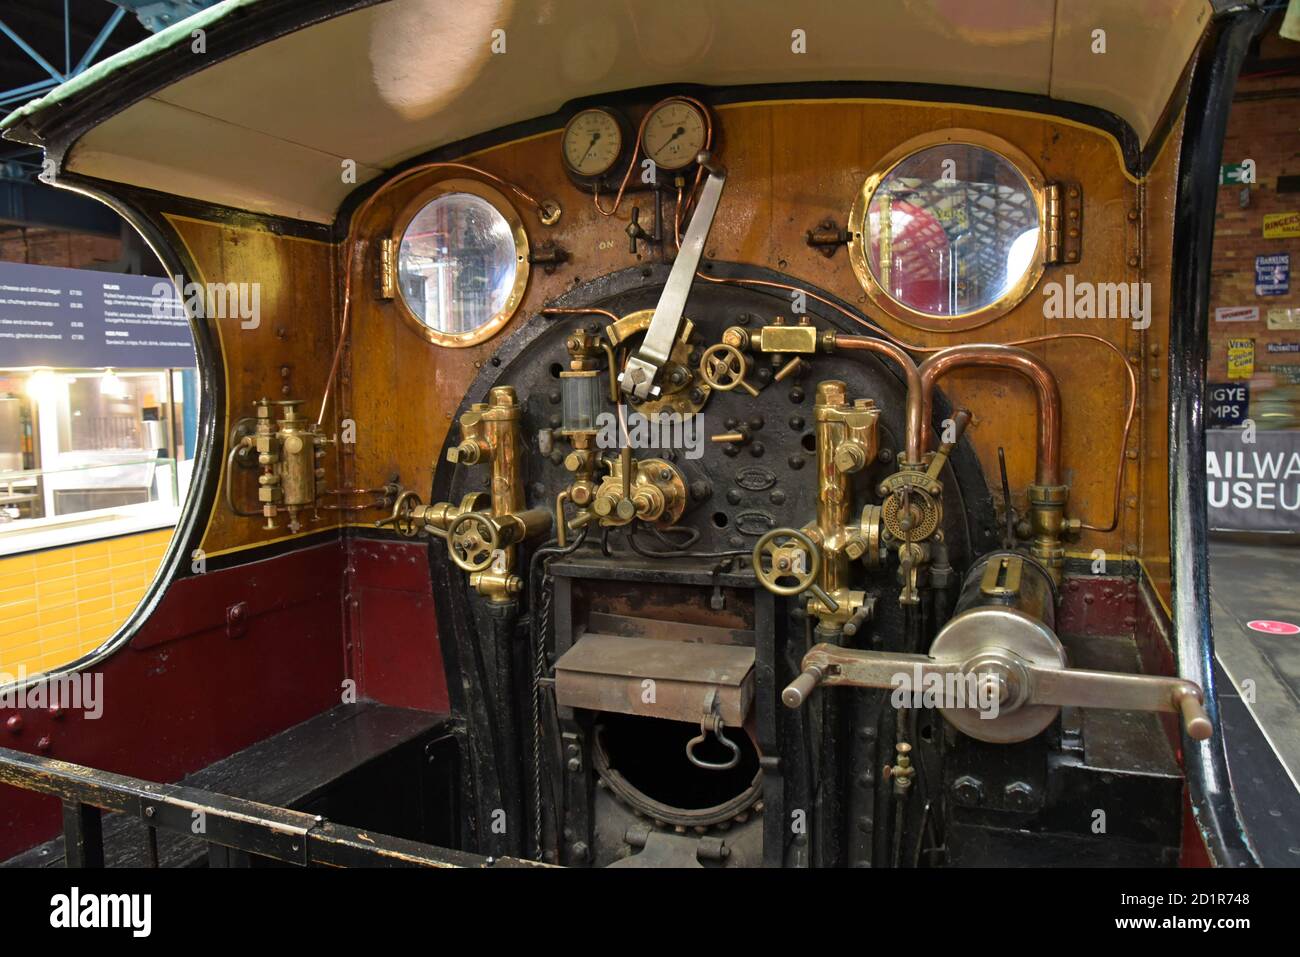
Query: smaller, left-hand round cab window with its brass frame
[462,263]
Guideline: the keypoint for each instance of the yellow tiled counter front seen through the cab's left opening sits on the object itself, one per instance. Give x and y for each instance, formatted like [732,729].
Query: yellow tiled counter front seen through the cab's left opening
[57,605]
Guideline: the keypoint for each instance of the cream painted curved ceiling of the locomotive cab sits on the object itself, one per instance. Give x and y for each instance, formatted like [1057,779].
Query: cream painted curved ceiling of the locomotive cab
[267,131]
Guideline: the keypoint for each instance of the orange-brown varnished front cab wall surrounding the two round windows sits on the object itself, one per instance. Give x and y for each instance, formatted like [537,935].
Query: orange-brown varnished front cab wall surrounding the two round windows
[791,166]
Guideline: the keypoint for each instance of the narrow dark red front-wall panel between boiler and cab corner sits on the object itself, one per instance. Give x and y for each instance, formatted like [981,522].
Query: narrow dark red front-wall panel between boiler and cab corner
[395,633]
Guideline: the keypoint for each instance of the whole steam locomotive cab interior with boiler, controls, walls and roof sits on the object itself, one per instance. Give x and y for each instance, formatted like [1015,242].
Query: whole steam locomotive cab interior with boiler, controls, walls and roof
[709,462]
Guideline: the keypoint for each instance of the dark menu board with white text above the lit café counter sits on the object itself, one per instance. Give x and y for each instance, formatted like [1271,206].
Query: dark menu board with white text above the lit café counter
[81,319]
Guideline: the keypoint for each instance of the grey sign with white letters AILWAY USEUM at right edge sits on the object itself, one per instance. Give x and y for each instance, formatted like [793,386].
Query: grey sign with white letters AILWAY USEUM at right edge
[1254,486]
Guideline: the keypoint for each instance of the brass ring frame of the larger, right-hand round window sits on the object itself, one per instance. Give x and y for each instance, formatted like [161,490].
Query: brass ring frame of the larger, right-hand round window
[860,245]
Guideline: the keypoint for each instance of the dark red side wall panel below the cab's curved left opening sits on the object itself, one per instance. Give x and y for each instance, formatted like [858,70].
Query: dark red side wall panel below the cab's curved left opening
[184,694]
